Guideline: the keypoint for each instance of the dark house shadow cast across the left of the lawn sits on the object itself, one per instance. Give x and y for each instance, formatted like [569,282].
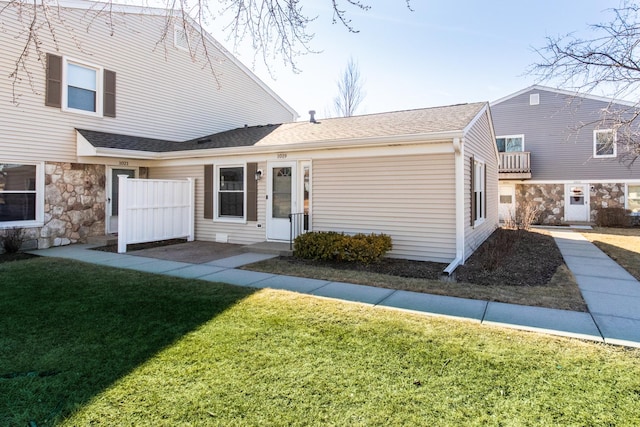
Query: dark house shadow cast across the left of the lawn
[70,330]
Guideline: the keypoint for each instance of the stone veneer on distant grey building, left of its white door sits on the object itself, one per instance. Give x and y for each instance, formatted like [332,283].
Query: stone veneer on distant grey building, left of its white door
[548,198]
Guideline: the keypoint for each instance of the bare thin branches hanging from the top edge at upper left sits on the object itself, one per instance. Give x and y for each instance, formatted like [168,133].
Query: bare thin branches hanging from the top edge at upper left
[277,29]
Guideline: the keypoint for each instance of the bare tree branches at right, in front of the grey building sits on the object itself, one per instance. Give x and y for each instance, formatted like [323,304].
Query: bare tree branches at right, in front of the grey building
[610,62]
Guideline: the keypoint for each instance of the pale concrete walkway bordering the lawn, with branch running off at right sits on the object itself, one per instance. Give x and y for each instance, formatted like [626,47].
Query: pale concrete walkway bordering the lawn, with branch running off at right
[614,318]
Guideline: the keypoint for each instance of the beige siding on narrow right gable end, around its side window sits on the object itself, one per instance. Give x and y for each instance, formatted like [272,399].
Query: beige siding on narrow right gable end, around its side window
[479,143]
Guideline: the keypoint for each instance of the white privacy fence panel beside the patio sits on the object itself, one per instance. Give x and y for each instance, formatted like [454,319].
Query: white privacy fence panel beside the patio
[154,209]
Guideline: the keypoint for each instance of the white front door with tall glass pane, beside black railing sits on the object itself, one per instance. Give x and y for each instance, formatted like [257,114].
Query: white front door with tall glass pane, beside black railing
[281,199]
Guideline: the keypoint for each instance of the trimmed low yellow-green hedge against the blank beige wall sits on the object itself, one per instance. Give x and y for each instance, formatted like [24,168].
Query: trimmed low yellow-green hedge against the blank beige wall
[332,246]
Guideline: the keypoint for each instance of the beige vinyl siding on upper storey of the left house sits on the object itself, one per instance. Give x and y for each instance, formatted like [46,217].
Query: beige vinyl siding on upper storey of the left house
[161,92]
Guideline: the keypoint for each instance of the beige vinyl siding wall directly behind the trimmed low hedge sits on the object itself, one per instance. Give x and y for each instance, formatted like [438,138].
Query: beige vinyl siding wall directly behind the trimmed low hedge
[410,198]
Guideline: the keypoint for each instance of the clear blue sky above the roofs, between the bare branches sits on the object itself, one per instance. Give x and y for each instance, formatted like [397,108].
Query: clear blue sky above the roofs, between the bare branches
[444,52]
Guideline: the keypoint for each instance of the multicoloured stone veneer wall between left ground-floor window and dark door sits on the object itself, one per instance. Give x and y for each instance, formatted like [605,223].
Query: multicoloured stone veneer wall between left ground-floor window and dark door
[74,204]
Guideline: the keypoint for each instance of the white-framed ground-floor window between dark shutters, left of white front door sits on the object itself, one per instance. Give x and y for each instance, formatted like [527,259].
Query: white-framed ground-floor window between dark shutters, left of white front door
[230,193]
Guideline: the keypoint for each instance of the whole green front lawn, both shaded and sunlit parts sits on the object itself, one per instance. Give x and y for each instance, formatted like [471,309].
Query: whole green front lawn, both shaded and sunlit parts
[84,345]
